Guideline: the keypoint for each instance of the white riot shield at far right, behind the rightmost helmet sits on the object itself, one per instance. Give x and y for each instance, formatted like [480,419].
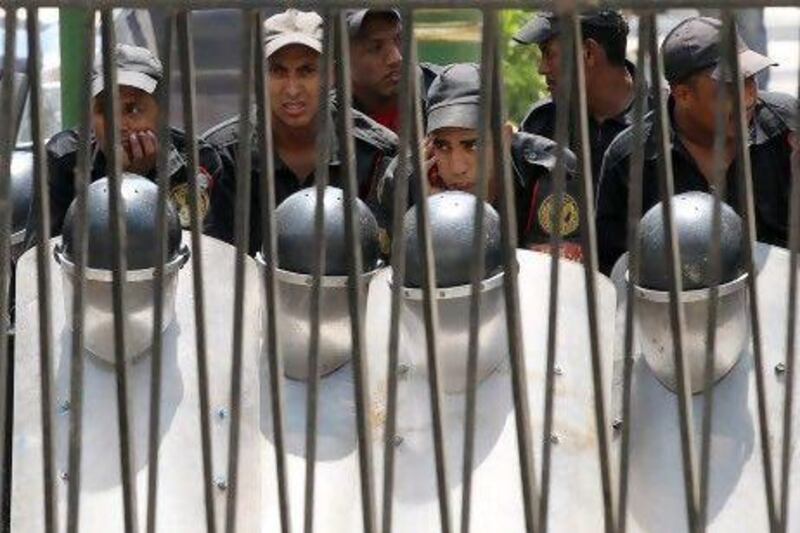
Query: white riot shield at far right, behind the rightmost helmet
[736,499]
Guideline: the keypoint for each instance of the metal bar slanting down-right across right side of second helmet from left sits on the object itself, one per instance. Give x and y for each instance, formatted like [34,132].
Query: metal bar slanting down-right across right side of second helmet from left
[356,287]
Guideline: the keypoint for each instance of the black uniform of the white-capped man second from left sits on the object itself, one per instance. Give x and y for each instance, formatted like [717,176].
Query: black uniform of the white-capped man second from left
[374,148]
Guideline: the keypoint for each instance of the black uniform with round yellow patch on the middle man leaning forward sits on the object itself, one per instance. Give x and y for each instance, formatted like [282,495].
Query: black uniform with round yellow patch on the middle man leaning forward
[533,160]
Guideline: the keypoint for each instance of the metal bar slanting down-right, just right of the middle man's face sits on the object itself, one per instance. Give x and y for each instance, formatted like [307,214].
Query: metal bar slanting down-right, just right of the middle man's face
[519,382]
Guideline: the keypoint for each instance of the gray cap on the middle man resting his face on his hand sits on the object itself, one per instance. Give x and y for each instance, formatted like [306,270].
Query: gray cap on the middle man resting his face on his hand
[454,98]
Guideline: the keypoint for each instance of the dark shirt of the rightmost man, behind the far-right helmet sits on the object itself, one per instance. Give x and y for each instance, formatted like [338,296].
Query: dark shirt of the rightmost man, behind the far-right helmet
[770,163]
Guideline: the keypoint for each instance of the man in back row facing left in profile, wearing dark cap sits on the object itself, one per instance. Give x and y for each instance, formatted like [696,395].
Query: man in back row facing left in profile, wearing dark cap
[609,78]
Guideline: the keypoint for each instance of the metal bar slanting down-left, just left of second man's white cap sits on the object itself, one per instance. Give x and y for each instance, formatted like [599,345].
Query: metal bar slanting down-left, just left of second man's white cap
[249,21]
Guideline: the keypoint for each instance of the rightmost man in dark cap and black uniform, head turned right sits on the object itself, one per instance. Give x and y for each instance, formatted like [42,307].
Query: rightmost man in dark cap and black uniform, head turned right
[692,55]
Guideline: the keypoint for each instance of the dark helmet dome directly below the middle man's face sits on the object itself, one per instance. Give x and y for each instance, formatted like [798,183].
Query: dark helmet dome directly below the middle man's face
[451,216]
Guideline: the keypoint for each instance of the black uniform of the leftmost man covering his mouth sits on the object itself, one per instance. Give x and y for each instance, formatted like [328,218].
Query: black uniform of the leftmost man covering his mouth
[62,154]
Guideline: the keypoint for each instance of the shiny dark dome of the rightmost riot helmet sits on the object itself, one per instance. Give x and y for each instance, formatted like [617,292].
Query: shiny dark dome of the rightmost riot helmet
[692,213]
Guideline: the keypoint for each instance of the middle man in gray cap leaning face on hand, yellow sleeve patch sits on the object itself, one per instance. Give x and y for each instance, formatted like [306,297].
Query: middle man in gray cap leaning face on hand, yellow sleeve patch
[452,163]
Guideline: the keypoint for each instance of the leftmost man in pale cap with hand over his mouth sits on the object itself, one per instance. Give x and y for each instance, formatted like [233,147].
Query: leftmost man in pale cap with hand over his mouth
[138,73]
